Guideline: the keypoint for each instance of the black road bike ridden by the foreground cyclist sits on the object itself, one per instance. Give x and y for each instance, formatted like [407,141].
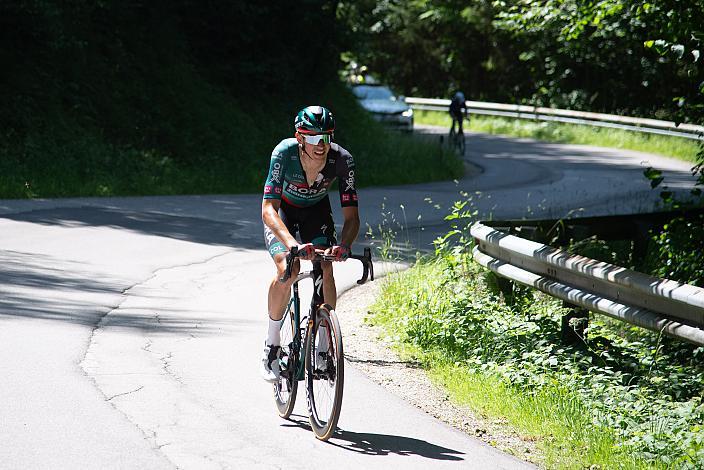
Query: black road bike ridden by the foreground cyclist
[311,349]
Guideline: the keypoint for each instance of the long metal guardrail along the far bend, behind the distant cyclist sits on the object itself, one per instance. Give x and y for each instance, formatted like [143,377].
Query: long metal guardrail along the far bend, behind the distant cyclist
[652,126]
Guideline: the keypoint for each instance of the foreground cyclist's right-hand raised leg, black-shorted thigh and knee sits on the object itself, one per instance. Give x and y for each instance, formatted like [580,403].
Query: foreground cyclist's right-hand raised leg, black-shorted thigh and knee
[317,227]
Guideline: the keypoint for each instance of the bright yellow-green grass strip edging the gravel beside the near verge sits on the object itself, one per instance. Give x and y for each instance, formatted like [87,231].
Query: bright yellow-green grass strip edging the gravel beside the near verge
[554,419]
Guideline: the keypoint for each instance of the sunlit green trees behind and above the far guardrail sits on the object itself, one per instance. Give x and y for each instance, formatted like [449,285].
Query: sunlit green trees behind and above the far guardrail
[622,56]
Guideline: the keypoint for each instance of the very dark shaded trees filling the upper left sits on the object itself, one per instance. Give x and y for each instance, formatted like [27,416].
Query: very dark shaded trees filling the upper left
[121,69]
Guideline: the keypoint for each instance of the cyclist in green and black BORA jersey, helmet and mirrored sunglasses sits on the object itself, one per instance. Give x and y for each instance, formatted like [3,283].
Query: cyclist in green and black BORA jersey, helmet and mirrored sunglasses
[301,171]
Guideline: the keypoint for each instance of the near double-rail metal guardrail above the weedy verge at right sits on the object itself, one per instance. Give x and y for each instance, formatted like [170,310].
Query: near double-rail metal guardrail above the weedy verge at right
[657,304]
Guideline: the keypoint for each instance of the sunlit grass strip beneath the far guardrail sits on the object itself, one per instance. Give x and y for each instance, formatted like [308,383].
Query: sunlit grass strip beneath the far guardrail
[676,147]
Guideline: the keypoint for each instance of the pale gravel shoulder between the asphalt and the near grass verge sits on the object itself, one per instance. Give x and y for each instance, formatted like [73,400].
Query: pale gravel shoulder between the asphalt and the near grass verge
[366,350]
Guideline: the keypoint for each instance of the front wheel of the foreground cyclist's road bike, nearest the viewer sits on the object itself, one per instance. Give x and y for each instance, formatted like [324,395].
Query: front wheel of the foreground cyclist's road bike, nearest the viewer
[325,375]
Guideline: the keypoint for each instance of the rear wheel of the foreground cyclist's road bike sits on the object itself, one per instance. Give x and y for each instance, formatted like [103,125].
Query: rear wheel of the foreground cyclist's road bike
[286,388]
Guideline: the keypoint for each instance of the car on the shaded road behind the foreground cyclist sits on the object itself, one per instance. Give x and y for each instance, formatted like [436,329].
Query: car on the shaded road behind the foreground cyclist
[384,105]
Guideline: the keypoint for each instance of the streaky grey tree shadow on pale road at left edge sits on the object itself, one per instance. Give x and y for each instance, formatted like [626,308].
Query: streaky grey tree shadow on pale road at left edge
[46,287]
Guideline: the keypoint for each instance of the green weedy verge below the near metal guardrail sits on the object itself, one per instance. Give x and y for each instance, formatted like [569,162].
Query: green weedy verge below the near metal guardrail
[623,398]
